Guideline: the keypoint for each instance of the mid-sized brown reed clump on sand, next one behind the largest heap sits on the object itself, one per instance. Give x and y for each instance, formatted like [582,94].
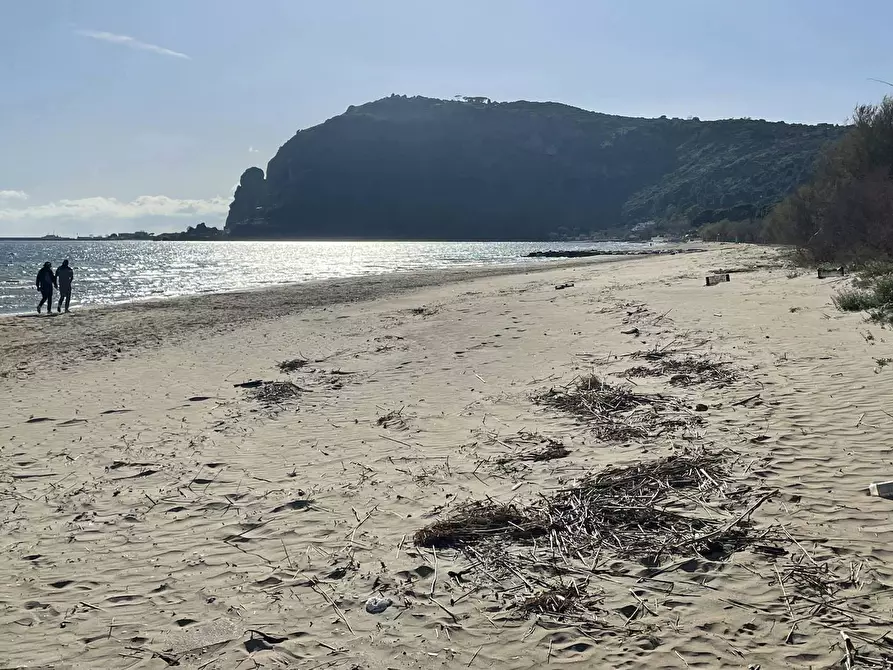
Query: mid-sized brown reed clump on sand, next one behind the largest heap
[617,413]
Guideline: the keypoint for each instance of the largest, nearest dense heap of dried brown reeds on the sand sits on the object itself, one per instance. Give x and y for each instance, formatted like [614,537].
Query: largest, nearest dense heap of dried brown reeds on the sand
[646,511]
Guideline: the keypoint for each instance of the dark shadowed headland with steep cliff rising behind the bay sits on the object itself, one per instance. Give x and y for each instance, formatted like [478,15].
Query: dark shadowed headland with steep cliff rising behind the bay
[419,168]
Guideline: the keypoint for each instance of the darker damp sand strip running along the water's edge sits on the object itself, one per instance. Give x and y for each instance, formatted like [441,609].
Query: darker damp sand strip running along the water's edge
[114,329]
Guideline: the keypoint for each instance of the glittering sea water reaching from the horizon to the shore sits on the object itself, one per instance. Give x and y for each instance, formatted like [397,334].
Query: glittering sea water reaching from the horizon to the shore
[115,272]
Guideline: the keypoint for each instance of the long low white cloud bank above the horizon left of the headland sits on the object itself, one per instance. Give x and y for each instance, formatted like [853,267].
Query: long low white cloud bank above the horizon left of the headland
[99,208]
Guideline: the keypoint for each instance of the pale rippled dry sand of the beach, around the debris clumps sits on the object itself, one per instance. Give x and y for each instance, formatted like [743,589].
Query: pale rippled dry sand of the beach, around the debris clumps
[153,515]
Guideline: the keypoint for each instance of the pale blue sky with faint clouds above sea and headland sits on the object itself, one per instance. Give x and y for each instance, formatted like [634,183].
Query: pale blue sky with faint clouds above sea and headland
[120,115]
